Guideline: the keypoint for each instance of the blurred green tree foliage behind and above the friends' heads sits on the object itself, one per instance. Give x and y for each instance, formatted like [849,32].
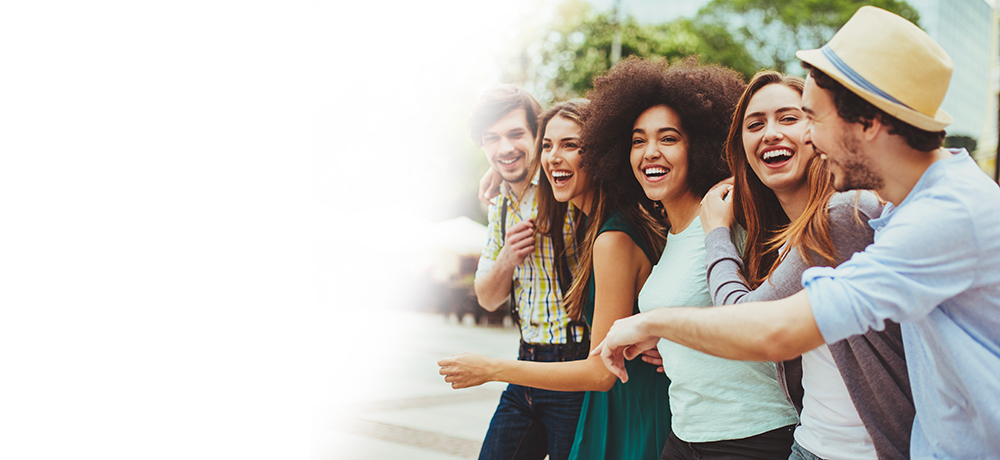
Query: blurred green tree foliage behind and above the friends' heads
[558,60]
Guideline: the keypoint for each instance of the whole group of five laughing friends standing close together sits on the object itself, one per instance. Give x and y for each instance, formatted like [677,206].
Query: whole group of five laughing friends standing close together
[706,269]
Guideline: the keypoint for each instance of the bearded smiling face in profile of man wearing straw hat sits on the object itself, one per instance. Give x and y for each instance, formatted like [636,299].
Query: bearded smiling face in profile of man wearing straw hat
[837,142]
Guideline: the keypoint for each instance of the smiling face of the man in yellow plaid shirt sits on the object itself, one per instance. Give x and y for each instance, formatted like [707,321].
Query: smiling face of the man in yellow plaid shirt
[507,144]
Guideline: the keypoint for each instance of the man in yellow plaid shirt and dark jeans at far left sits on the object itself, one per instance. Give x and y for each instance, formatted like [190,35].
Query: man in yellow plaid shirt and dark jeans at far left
[518,264]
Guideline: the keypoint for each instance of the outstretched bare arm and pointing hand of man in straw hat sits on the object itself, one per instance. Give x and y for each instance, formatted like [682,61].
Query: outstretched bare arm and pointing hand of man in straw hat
[759,331]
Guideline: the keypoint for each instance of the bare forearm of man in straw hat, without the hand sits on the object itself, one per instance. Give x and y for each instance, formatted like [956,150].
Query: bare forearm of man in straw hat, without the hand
[759,331]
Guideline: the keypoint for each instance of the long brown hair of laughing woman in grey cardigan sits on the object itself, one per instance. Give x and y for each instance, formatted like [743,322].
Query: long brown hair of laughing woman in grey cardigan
[756,207]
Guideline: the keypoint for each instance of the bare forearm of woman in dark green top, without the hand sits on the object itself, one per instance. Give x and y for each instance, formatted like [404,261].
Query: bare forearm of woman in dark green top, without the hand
[582,375]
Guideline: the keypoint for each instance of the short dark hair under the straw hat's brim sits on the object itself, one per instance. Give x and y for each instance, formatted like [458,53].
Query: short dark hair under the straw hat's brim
[853,109]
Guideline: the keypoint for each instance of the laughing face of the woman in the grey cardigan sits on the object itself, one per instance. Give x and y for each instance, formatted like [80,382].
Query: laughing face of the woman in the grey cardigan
[772,132]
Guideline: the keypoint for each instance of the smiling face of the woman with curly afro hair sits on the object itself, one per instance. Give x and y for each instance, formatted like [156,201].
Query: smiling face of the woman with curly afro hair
[659,154]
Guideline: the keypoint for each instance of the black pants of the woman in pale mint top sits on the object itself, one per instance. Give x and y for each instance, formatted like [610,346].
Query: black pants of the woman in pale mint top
[774,444]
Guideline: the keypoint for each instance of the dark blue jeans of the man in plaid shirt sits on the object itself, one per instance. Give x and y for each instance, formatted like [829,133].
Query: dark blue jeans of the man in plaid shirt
[530,423]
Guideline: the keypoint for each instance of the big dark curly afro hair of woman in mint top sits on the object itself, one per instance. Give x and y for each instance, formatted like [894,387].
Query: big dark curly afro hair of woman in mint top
[704,96]
